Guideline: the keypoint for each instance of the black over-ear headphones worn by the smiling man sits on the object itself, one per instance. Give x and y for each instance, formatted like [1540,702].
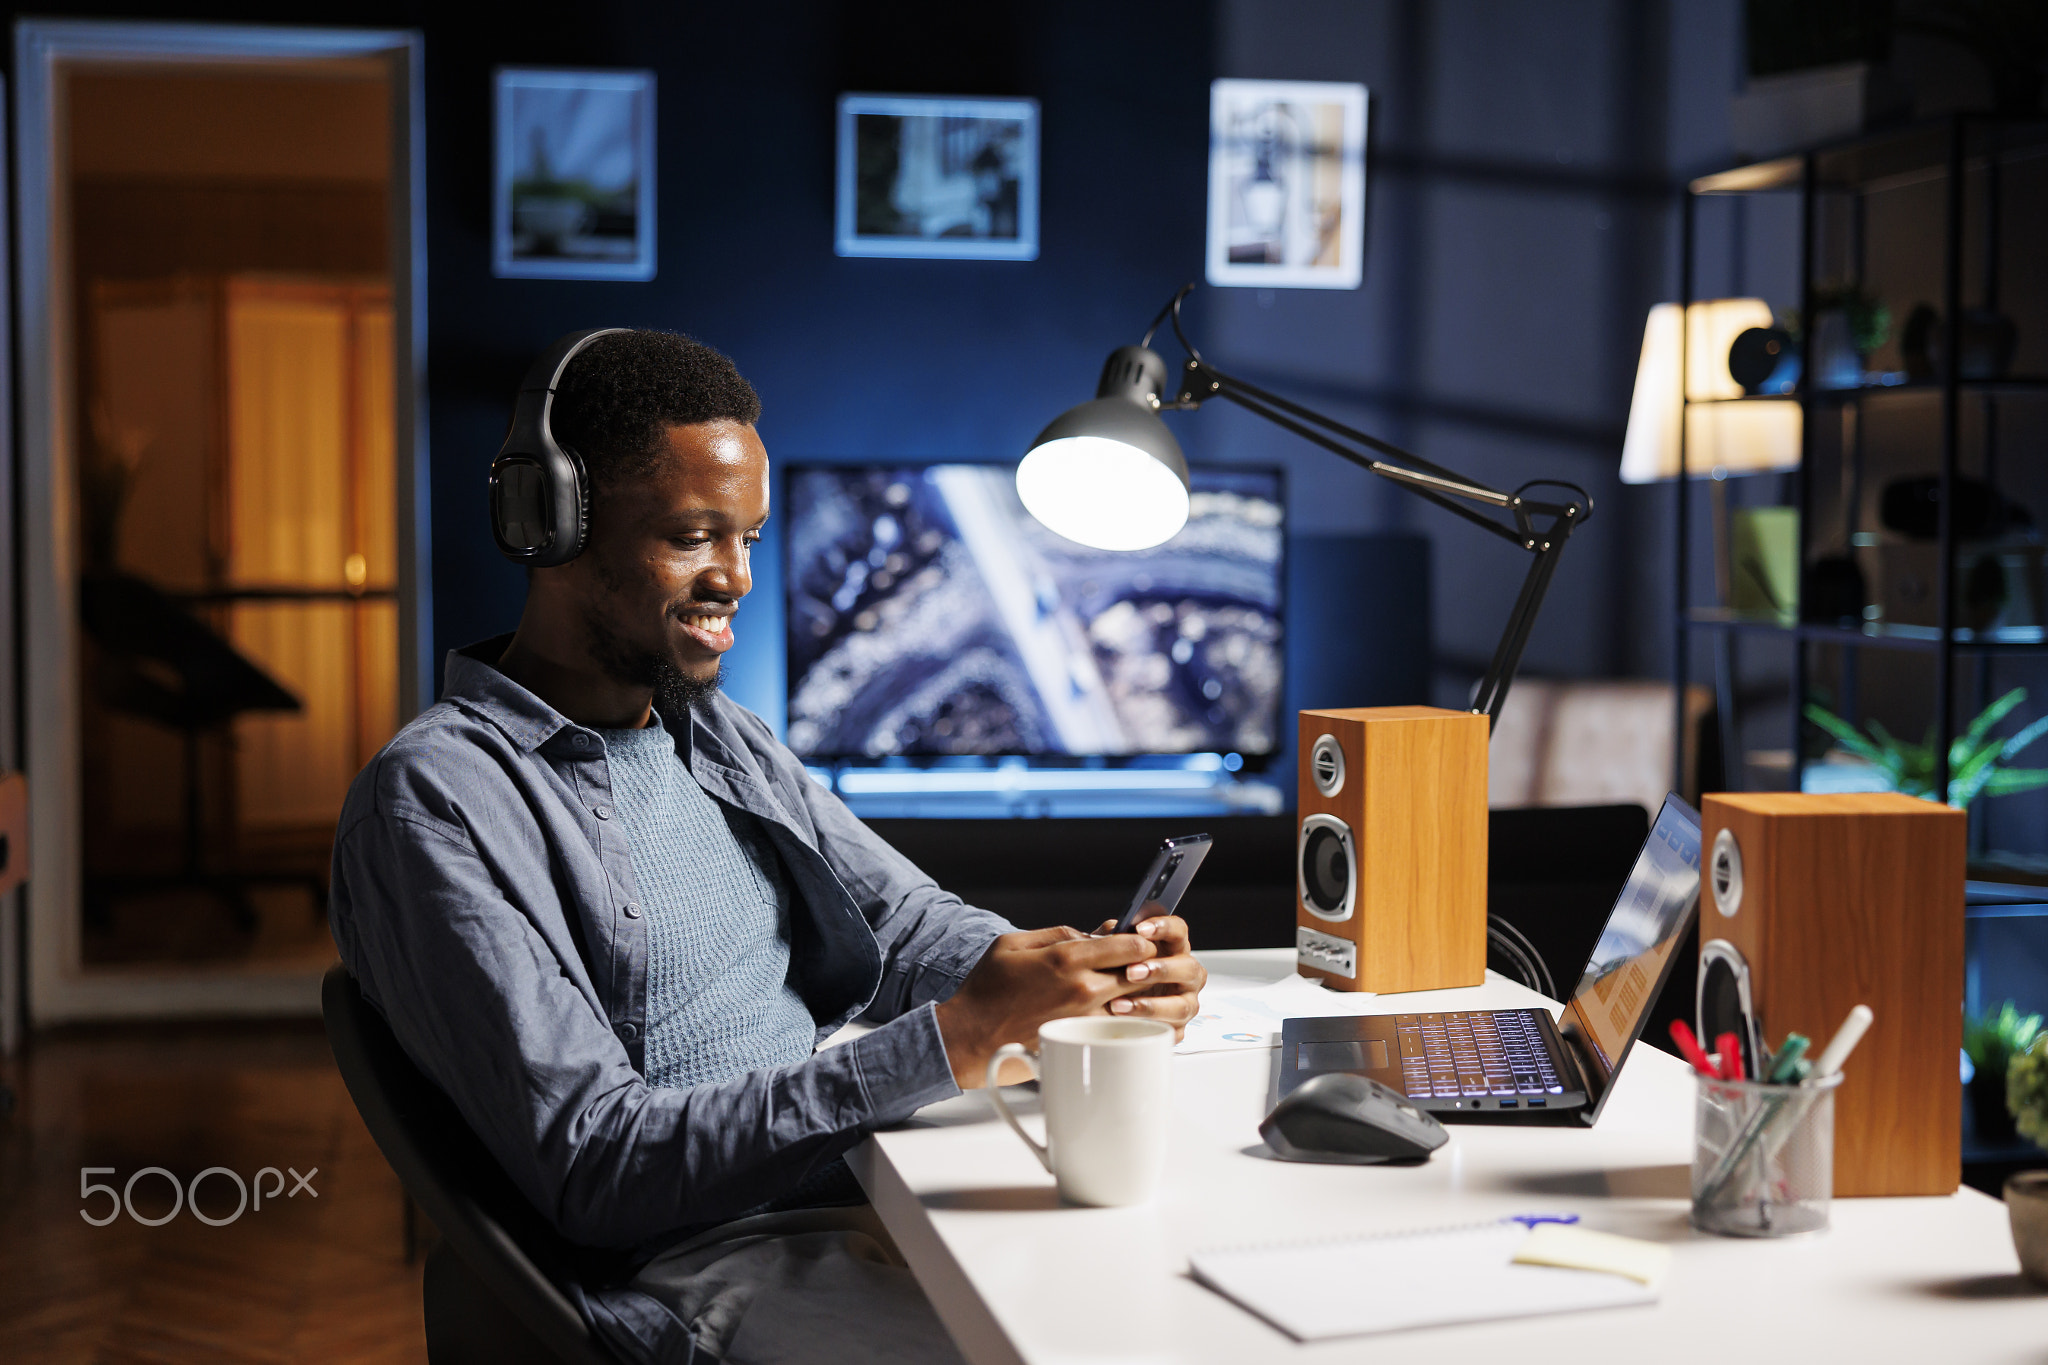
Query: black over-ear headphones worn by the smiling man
[542,492]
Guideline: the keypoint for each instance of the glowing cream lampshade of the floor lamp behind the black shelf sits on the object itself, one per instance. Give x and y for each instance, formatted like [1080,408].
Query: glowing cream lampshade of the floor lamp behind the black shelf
[1725,431]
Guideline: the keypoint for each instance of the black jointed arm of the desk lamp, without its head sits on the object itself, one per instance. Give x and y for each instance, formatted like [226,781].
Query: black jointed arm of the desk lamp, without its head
[1537,527]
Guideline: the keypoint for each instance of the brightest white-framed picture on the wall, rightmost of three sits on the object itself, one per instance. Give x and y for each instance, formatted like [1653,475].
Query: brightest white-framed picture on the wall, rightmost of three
[1287,183]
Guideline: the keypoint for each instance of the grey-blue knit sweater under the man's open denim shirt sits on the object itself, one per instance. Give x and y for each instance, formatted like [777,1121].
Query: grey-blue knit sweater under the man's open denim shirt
[718,922]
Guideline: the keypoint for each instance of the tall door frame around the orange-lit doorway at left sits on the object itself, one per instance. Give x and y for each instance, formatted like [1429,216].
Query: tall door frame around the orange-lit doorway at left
[60,985]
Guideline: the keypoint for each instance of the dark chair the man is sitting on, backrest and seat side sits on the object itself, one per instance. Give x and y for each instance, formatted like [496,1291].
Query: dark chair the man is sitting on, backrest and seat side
[486,1294]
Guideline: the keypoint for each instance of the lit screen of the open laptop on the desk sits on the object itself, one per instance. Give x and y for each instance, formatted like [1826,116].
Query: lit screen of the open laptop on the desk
[1637,946]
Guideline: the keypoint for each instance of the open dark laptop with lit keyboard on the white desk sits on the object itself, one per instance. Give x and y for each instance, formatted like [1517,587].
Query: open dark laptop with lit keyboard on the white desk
[1519,1065]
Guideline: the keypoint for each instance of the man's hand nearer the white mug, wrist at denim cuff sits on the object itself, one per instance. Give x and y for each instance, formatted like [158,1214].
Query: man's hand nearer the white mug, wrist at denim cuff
[1025,981]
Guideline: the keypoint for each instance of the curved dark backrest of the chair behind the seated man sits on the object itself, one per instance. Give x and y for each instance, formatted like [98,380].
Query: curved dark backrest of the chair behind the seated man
[454,1178]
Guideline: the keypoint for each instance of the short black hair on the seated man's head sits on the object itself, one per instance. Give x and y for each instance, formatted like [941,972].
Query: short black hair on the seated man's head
[624,392]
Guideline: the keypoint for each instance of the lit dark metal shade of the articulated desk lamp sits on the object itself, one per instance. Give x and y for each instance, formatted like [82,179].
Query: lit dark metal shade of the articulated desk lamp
[1109,474]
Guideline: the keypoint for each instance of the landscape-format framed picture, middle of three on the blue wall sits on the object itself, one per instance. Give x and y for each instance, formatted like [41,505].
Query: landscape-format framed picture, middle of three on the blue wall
[939,177]
